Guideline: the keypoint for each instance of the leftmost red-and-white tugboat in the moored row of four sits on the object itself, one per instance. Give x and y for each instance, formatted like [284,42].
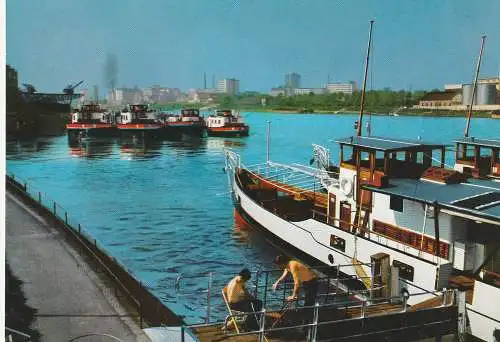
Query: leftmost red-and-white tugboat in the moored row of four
[90,121]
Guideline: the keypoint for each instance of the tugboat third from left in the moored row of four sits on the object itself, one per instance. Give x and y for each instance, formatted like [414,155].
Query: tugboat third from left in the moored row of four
[188,122]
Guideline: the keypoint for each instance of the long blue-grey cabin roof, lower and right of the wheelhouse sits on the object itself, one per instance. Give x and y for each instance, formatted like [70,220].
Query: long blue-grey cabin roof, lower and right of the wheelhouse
[480,198]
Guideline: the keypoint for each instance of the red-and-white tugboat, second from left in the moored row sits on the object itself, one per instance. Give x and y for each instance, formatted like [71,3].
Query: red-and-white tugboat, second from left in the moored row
[139,120]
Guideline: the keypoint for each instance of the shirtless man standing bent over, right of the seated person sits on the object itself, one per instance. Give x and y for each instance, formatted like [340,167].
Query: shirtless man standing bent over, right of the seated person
[301,276]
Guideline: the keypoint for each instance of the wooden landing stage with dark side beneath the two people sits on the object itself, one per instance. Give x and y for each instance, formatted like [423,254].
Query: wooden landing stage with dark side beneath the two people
[350,323]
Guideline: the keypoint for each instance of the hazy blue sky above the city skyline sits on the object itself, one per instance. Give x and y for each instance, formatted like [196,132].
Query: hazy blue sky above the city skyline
[422,44]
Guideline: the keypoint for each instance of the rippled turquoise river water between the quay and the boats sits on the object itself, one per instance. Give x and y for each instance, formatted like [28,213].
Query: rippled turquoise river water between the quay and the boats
[162,209]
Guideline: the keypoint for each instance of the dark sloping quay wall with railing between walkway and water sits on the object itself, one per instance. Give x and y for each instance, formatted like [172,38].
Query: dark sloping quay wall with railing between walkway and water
[149,308]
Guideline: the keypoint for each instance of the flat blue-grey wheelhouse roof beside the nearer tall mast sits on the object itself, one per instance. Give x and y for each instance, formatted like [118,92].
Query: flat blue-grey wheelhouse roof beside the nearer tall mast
[387,144]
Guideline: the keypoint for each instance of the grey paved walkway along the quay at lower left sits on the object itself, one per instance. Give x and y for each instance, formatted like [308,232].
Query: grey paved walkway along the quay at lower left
[70,298]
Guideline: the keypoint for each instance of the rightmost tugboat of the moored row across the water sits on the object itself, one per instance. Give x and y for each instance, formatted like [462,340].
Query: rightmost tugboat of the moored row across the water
[226,124]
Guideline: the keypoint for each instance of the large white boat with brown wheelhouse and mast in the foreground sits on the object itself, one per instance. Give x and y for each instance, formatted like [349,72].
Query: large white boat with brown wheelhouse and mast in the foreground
[388,200]
